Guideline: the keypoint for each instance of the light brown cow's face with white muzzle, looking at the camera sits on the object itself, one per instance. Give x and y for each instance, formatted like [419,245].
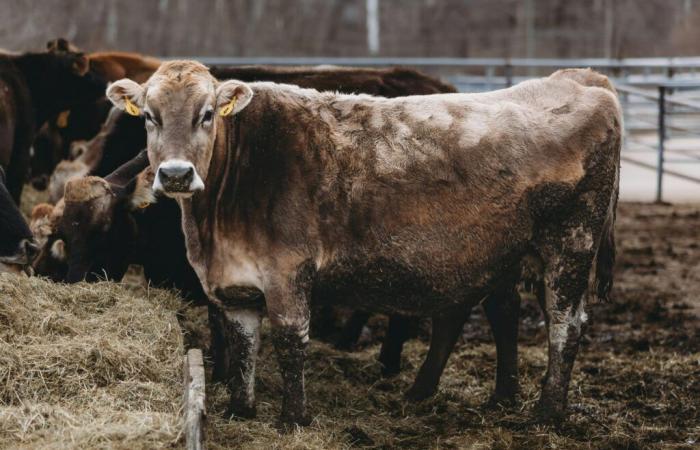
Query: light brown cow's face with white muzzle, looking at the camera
[183,106]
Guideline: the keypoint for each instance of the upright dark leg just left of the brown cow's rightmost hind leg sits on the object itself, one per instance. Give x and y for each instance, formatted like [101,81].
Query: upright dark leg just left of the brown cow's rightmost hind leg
[502,310]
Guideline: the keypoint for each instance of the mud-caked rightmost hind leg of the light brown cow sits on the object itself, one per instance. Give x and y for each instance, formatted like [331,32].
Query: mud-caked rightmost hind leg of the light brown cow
[566,281]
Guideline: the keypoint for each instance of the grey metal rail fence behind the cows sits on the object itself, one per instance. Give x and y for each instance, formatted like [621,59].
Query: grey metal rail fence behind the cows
[660,96]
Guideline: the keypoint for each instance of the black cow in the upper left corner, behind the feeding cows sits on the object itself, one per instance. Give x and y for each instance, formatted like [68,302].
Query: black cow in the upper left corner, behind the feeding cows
[33,88]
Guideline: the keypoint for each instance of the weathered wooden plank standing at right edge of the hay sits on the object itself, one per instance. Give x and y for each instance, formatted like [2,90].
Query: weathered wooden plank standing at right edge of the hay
[194,409]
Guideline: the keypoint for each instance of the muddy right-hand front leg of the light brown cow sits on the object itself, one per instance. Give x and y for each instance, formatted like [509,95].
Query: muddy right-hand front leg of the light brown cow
[288,310]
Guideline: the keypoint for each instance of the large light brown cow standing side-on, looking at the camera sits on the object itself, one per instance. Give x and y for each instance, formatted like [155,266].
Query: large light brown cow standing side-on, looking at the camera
[418,205]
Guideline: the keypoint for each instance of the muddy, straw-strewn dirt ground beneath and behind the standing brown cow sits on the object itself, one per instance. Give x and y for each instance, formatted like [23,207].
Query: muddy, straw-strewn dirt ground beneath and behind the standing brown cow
[636,382]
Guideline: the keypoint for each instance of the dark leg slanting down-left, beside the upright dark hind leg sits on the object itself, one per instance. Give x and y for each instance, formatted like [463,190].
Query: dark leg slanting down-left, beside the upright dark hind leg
[447,328]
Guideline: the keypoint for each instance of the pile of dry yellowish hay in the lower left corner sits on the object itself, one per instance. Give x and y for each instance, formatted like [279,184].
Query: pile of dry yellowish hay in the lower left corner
[88,366]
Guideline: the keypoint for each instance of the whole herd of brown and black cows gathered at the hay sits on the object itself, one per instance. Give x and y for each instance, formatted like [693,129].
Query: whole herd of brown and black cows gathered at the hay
[278,191]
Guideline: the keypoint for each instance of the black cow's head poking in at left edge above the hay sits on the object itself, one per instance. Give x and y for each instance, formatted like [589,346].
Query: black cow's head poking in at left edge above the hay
[17,247]
